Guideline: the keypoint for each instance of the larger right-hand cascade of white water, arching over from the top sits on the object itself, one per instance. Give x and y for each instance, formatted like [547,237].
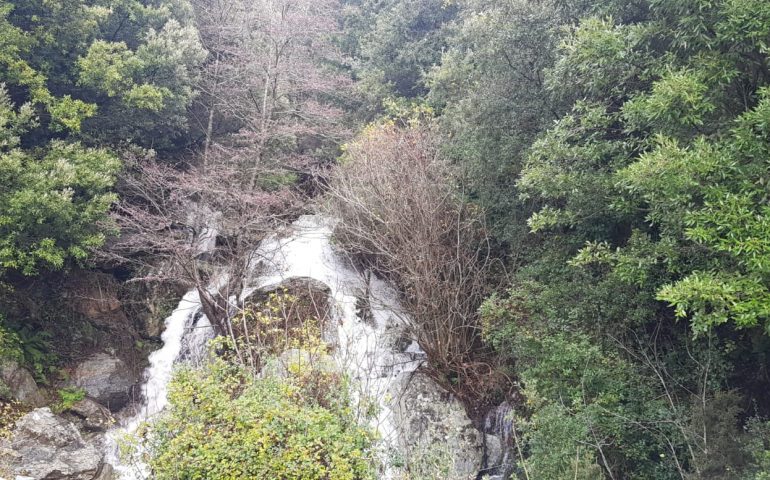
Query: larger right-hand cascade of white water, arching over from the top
[365,350]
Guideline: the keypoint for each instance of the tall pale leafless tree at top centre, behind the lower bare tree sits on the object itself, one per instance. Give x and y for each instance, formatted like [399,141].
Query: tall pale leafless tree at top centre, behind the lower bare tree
[272,81]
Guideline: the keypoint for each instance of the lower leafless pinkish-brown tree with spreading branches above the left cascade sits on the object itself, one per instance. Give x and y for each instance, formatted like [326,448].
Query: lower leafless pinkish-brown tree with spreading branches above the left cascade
[197,228]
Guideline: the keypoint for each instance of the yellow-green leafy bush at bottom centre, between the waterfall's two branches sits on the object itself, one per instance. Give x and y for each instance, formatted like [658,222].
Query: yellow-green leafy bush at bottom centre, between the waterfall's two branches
[223,423]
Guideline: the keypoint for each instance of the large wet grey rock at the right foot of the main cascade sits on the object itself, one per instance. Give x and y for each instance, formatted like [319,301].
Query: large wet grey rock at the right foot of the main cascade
[433,426]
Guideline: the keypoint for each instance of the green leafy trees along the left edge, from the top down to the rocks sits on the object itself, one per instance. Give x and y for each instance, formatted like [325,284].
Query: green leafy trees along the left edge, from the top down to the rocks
[82,83]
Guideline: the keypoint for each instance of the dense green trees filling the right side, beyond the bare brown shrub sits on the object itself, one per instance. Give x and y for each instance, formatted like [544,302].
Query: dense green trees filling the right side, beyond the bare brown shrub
[620,151]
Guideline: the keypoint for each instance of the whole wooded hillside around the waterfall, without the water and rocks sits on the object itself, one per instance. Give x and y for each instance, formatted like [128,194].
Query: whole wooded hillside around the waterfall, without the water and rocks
[571,198]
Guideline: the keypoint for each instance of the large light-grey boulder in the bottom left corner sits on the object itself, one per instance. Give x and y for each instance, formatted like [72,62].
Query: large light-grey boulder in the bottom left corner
[45,446]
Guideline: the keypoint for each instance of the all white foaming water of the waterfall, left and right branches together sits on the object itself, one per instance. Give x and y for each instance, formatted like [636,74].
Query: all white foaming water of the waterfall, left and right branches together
[365,350]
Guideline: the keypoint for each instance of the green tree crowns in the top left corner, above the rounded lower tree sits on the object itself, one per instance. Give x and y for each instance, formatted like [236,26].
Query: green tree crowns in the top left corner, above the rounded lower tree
[107,72]
